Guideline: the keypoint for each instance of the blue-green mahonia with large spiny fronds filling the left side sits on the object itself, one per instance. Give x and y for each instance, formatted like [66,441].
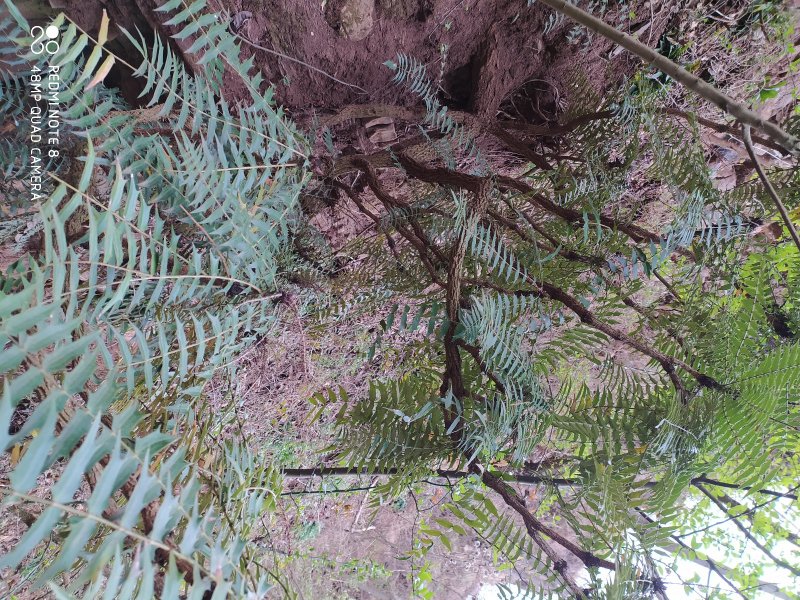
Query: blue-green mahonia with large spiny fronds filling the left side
[155,260]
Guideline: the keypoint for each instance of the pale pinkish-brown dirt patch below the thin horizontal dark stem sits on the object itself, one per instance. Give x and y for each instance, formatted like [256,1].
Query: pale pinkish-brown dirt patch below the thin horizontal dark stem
[384,535]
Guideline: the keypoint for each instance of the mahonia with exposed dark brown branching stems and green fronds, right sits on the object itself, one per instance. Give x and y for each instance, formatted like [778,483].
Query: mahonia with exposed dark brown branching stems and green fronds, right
[656,367]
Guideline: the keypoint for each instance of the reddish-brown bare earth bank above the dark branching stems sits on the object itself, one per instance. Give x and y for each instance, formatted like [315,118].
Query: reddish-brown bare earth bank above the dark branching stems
[493,47]
